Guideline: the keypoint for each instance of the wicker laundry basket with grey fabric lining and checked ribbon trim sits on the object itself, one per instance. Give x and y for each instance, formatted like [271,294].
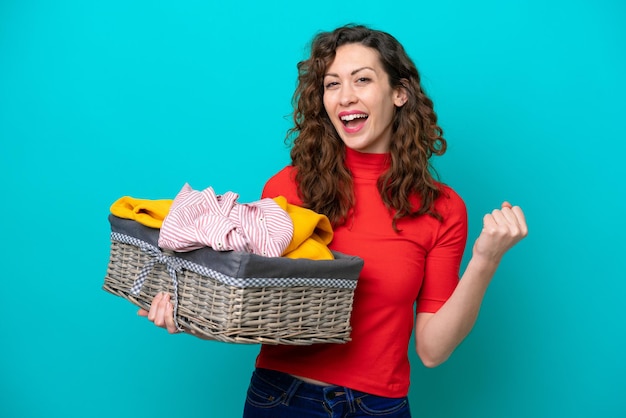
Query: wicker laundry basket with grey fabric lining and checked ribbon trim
[234,296]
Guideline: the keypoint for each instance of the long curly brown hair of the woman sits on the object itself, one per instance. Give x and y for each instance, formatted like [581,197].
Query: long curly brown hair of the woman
[317,153]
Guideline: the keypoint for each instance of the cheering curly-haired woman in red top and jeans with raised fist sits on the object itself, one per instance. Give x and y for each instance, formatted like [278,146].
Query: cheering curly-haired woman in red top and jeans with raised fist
[364,132]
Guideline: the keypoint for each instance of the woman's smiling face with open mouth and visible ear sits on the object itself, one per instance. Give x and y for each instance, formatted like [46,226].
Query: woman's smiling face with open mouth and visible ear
[359,99]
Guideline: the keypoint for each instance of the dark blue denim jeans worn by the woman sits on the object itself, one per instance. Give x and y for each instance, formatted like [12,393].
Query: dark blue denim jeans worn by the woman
[275,394]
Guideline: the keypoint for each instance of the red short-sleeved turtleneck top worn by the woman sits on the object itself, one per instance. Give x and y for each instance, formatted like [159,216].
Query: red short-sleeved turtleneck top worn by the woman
[417,267]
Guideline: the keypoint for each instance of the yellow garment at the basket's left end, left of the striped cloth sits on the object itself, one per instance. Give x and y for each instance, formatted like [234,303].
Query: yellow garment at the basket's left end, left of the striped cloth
[147,212]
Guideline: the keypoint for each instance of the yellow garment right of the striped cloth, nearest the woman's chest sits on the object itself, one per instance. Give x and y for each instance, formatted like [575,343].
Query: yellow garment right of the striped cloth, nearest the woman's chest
[312,233]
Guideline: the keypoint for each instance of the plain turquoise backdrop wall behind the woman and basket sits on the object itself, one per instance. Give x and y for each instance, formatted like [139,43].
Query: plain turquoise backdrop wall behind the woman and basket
[104,99]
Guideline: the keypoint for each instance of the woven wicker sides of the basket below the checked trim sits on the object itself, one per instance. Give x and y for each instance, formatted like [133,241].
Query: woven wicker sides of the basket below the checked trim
[300,315]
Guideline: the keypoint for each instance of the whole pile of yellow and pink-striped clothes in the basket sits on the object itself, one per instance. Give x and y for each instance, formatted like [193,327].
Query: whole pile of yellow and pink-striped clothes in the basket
[195,219]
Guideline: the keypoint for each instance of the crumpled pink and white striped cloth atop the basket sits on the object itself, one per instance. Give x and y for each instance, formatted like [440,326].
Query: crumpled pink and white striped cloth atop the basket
[199,219]
